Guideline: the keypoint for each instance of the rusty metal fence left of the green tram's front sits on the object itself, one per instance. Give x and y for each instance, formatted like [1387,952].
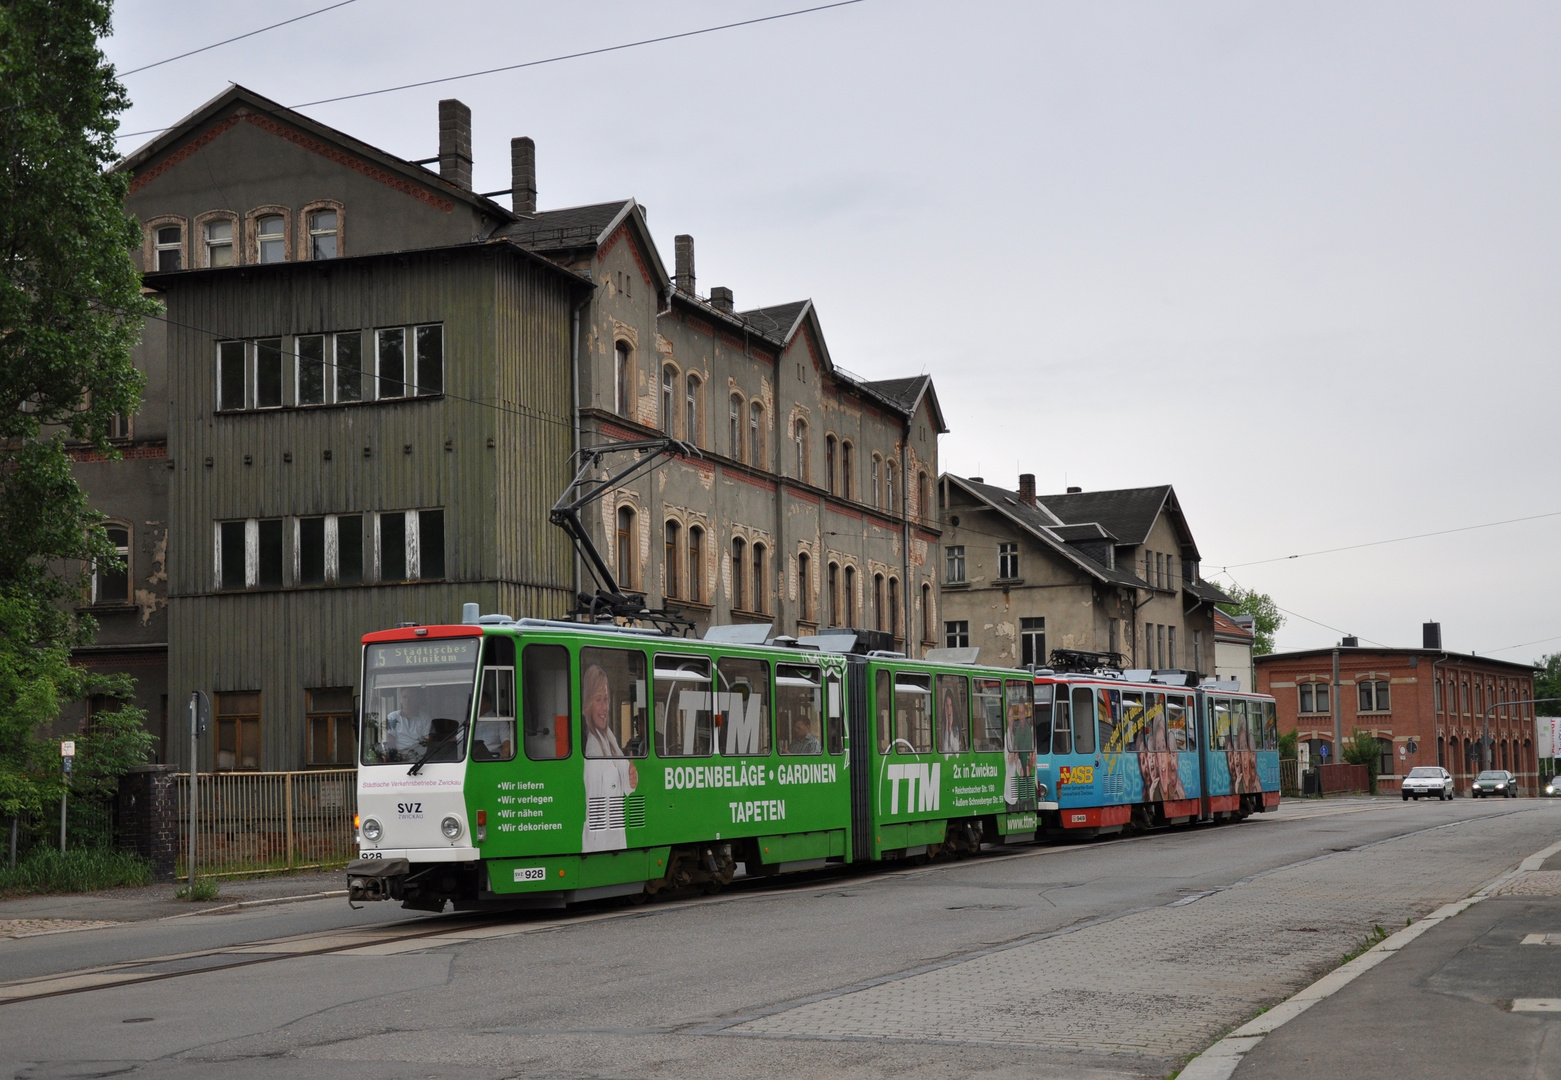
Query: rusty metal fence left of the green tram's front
[249,822]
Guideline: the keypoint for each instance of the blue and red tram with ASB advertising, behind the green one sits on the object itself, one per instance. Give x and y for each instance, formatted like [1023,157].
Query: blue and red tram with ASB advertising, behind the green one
[1151,750]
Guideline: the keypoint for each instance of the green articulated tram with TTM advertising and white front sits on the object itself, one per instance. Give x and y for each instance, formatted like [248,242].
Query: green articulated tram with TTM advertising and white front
[542,764]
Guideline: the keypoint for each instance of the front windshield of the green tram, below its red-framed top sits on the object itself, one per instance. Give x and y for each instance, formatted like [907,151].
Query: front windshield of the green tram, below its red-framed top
[418,700]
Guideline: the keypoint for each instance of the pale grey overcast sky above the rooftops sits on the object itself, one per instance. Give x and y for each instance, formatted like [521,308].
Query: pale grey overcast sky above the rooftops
[1300,261]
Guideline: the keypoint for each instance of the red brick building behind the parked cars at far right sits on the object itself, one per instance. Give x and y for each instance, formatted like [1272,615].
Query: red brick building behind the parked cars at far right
[1426,698]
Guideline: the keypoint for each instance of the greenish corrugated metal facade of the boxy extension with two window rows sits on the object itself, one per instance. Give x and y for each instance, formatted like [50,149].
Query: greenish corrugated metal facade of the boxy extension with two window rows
[492,453]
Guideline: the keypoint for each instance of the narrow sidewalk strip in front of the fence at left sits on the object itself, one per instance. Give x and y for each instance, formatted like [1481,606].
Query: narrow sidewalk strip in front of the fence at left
[29,915]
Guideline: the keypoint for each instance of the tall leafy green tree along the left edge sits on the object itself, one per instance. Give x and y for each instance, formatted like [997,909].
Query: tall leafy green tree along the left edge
[71,311]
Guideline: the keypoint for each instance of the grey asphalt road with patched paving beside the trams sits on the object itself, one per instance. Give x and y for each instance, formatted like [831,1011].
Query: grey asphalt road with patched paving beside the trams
[1109,959]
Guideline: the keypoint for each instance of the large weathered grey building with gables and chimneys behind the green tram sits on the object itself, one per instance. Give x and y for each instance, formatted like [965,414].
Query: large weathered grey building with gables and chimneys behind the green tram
[374,380]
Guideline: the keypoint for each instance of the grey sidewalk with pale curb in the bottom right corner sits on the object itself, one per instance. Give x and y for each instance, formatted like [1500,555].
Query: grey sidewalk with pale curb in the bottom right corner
[1476,997]
